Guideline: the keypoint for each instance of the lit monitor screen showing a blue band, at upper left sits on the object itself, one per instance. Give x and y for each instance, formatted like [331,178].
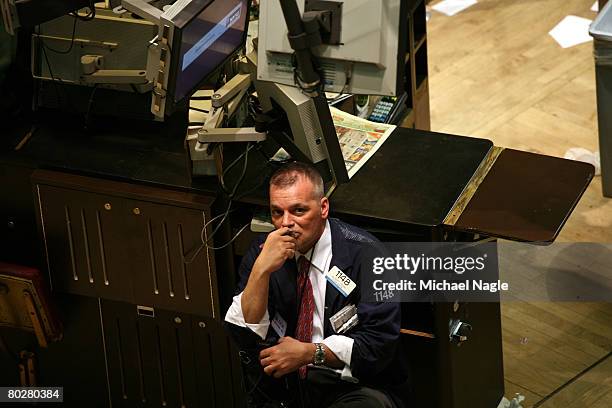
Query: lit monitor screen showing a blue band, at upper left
[206,41]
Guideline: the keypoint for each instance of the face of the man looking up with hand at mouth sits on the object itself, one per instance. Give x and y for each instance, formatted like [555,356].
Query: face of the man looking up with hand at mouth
[297,208]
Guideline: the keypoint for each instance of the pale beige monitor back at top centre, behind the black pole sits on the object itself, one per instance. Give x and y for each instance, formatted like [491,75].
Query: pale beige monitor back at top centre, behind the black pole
[369,57]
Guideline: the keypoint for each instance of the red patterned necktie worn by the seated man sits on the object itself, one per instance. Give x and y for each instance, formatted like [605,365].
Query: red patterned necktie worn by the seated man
[303,330]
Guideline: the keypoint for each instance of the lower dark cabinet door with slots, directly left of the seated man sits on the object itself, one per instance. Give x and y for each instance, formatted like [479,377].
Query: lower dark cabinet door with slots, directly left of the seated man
[161,358]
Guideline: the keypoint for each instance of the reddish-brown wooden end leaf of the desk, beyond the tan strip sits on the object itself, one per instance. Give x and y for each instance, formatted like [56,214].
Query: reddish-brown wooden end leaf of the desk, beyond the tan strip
[526,197]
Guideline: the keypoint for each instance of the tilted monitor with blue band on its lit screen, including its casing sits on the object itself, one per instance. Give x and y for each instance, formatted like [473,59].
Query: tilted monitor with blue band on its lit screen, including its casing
[197,38]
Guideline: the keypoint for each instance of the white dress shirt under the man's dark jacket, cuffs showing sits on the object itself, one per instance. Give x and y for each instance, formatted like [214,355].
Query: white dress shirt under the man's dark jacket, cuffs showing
[320,260]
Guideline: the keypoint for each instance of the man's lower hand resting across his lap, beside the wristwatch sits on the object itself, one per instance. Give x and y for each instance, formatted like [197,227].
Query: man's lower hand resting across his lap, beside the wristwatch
[285,357]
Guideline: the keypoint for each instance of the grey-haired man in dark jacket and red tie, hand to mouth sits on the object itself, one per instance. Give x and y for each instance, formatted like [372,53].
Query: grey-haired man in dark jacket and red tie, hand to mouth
[285,299]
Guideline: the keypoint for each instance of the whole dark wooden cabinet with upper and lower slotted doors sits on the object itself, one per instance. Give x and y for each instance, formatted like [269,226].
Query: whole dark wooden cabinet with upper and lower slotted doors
[130,251]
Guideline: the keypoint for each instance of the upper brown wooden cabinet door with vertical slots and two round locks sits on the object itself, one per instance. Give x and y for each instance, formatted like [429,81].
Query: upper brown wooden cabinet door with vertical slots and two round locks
[127,242]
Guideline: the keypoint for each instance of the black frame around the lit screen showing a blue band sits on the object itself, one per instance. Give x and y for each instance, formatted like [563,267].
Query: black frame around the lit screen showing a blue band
[193,10]
